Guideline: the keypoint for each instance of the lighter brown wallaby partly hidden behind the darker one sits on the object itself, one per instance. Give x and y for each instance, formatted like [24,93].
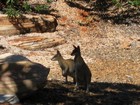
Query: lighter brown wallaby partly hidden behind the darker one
[67,66]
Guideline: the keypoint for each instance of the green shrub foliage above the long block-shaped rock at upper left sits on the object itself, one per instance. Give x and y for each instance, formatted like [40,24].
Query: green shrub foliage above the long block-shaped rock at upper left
[15,8]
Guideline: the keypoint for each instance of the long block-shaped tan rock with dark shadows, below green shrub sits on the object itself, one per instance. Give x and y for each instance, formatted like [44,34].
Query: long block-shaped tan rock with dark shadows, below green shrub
[27,24]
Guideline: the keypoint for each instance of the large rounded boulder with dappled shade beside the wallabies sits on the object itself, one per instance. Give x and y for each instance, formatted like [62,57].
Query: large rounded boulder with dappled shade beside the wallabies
[21,77]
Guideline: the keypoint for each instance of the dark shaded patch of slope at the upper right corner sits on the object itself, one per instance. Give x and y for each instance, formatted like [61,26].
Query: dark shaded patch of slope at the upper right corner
[108,11]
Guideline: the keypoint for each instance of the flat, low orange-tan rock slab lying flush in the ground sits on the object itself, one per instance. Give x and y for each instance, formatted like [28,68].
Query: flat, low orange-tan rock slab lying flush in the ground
[36,42]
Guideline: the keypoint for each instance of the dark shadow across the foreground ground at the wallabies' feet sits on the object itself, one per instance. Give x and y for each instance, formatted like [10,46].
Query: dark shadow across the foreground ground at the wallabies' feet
[57,93]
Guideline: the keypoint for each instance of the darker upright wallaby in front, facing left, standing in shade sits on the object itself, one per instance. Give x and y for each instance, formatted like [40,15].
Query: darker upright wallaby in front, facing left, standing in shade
[82,71]
